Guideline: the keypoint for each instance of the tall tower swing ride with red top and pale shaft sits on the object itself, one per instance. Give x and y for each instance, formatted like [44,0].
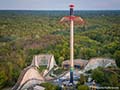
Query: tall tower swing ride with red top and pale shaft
[72,19]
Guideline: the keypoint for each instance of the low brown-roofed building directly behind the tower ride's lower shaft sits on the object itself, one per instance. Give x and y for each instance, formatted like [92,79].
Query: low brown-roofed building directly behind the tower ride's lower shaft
[78,64]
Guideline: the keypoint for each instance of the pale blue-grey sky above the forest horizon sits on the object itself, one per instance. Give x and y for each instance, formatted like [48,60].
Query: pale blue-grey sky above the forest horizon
[59,4]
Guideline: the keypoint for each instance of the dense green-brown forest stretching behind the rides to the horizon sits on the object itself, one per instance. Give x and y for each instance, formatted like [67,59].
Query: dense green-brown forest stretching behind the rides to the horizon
[27,33]
